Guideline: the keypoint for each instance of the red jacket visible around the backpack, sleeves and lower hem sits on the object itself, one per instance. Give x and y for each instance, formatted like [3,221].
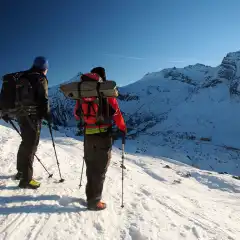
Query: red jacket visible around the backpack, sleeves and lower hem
[117,116]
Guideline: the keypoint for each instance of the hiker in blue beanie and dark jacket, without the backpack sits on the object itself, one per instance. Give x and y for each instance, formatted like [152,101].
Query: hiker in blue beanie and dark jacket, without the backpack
[30,125]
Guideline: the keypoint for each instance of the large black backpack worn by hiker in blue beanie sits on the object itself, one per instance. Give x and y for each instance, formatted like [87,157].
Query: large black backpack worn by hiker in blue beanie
[17,95]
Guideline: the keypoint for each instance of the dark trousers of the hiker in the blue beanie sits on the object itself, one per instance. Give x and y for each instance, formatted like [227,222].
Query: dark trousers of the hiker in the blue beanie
[30,131]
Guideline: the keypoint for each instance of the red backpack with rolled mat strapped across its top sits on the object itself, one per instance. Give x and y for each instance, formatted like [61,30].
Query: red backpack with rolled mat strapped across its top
[92,93]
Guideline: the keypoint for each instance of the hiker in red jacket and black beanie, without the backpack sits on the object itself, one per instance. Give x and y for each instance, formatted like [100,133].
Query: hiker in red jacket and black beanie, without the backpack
[97,149]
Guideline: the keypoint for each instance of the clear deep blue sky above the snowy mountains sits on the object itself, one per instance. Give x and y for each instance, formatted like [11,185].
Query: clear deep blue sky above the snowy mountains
[128,37]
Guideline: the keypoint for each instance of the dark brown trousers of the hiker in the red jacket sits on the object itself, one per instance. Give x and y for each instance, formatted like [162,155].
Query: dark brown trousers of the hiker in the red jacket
[97,155]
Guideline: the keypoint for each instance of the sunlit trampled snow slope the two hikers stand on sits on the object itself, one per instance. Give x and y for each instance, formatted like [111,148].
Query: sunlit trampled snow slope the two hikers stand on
[164,199]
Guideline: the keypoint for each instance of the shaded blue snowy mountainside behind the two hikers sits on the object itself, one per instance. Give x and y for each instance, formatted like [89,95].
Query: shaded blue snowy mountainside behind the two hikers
[179,109]
